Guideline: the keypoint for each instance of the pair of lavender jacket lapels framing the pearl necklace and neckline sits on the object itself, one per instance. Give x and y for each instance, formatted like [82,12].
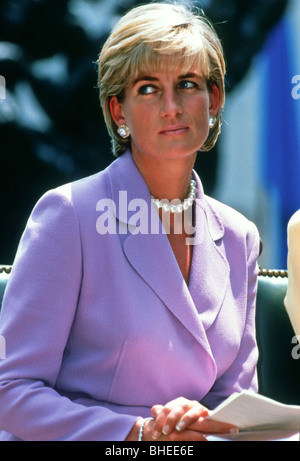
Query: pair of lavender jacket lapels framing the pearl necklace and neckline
[151,255]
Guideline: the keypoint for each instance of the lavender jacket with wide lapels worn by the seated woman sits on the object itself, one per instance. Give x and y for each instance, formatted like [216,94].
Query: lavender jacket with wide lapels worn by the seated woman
[99,328]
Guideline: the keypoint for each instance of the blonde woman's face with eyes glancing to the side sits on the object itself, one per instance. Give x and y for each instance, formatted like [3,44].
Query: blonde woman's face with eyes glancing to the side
[167,113]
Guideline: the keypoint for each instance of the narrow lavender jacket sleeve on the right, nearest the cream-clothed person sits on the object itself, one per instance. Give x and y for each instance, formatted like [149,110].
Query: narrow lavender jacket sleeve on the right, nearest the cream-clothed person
[243,373]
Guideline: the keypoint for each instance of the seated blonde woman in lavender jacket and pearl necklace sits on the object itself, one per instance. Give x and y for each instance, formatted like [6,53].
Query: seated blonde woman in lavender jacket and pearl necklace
[118,323]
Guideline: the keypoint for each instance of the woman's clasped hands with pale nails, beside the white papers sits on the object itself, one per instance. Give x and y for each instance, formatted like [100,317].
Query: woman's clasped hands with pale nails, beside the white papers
[182,419]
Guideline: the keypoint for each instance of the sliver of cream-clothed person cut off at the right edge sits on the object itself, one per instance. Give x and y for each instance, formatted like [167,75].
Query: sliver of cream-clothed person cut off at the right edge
[292,298]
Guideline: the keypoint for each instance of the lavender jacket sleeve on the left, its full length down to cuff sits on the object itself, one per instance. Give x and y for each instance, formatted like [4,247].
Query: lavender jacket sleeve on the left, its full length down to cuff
[36,318]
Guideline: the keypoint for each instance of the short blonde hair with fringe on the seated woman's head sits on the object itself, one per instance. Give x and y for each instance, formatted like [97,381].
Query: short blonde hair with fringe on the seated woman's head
[142,39]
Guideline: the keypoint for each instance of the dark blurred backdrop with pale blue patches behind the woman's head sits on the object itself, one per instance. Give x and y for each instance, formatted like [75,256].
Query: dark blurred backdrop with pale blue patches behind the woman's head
[51,125]
